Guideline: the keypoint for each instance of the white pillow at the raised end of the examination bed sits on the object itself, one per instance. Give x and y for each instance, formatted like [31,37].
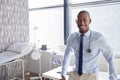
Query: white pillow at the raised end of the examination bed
[19,47]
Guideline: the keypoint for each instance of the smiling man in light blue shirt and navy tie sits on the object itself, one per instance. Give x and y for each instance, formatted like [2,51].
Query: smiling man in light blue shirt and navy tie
[86,45]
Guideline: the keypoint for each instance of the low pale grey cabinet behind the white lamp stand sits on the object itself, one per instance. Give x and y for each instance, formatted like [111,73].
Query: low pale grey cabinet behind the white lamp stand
[45,63]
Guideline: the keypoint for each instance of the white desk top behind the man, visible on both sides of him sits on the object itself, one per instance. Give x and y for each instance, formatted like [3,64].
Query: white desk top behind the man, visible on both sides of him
[53,74]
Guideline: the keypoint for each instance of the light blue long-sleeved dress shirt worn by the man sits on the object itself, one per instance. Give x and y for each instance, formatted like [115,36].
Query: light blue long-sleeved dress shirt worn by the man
[97,45]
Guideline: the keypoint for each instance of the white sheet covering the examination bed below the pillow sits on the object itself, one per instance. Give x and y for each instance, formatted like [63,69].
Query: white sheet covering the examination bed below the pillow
[9,56]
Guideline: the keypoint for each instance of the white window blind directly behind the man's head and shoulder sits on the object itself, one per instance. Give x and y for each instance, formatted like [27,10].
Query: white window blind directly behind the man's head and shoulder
[105,19]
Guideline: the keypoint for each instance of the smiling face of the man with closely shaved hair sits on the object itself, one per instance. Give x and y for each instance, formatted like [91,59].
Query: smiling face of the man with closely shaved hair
[83,22]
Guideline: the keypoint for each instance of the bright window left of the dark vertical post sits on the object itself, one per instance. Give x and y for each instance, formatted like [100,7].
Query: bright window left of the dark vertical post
[46,23]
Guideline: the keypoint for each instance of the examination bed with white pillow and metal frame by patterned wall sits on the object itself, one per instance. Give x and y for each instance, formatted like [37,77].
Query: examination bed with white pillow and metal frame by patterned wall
[14,53]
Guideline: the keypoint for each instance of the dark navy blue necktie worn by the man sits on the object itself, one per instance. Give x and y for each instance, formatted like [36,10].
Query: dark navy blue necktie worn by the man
[80,55]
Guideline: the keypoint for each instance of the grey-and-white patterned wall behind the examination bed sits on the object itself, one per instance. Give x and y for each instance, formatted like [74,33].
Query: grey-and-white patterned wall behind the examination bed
[13,22]
